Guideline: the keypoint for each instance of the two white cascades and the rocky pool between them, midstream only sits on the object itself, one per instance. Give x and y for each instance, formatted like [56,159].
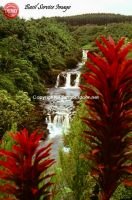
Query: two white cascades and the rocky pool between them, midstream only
[59,110]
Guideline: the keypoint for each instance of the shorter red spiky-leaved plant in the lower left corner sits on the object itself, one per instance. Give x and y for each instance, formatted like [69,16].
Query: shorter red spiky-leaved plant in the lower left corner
[24,168]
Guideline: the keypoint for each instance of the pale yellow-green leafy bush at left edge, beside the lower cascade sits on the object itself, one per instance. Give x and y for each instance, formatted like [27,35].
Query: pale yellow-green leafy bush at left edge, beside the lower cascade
[13,109]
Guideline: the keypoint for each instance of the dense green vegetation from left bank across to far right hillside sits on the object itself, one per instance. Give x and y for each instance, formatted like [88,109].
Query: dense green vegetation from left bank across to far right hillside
[33,51]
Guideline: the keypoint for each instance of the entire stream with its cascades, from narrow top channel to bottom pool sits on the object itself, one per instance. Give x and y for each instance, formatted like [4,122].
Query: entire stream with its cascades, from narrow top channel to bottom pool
[60,106]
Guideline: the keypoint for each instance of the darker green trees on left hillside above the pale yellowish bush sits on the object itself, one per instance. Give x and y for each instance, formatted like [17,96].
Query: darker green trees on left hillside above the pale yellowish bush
[28,49]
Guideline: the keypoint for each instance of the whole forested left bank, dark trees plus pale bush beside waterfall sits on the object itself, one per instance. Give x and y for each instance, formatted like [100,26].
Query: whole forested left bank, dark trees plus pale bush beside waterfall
[31,52]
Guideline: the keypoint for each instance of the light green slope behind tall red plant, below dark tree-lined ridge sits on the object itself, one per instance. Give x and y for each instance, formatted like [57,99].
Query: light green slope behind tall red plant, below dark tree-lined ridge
[87,34]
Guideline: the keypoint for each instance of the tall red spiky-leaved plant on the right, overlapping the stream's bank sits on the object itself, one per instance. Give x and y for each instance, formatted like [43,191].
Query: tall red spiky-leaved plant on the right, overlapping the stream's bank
[109,77]
